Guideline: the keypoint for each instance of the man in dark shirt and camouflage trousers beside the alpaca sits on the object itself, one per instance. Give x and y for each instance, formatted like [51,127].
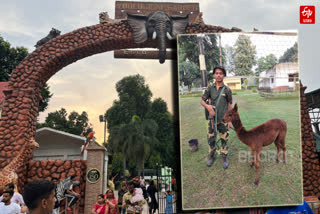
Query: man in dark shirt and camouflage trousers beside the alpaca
[212,94]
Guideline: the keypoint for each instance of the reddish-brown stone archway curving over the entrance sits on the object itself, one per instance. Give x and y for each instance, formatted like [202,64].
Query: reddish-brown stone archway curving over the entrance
[18,121]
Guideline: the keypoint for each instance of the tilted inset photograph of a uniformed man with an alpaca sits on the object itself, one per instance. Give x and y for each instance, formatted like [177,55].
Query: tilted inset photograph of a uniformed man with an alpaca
[239,103]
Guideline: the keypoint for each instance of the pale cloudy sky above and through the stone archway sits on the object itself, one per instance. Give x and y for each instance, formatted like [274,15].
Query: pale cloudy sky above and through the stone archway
[89,84]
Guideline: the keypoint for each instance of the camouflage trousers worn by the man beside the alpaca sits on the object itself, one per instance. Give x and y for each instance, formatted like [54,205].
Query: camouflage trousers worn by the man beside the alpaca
[222,128]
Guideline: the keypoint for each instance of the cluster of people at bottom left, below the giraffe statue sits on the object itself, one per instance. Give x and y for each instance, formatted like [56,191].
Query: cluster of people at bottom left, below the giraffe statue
[39,196]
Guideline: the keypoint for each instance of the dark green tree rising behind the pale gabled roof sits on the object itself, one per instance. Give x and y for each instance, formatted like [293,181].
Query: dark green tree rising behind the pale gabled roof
[75,123]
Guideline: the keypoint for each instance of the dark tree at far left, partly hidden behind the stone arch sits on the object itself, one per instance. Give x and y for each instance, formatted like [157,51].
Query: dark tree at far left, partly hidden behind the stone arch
[10,58]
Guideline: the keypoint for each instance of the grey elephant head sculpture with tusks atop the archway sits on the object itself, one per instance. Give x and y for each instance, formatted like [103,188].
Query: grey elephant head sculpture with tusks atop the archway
[157,25]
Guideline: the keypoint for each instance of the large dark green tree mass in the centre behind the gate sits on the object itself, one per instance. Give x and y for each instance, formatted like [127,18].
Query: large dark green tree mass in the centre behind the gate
[139,128]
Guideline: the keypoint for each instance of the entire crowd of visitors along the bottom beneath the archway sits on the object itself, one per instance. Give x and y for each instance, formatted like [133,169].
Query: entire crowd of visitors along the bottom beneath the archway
[44,197]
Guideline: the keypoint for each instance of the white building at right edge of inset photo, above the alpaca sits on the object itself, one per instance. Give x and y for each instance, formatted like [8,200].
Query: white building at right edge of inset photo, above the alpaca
[282,76]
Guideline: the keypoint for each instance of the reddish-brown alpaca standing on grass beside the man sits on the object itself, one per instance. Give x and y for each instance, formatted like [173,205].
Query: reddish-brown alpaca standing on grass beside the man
[273,130]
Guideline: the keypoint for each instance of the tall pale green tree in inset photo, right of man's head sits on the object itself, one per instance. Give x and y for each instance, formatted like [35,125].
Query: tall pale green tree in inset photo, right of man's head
[245,54]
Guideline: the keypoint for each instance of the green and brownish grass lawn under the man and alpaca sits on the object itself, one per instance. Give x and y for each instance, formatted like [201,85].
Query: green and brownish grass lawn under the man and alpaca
[213,187]
